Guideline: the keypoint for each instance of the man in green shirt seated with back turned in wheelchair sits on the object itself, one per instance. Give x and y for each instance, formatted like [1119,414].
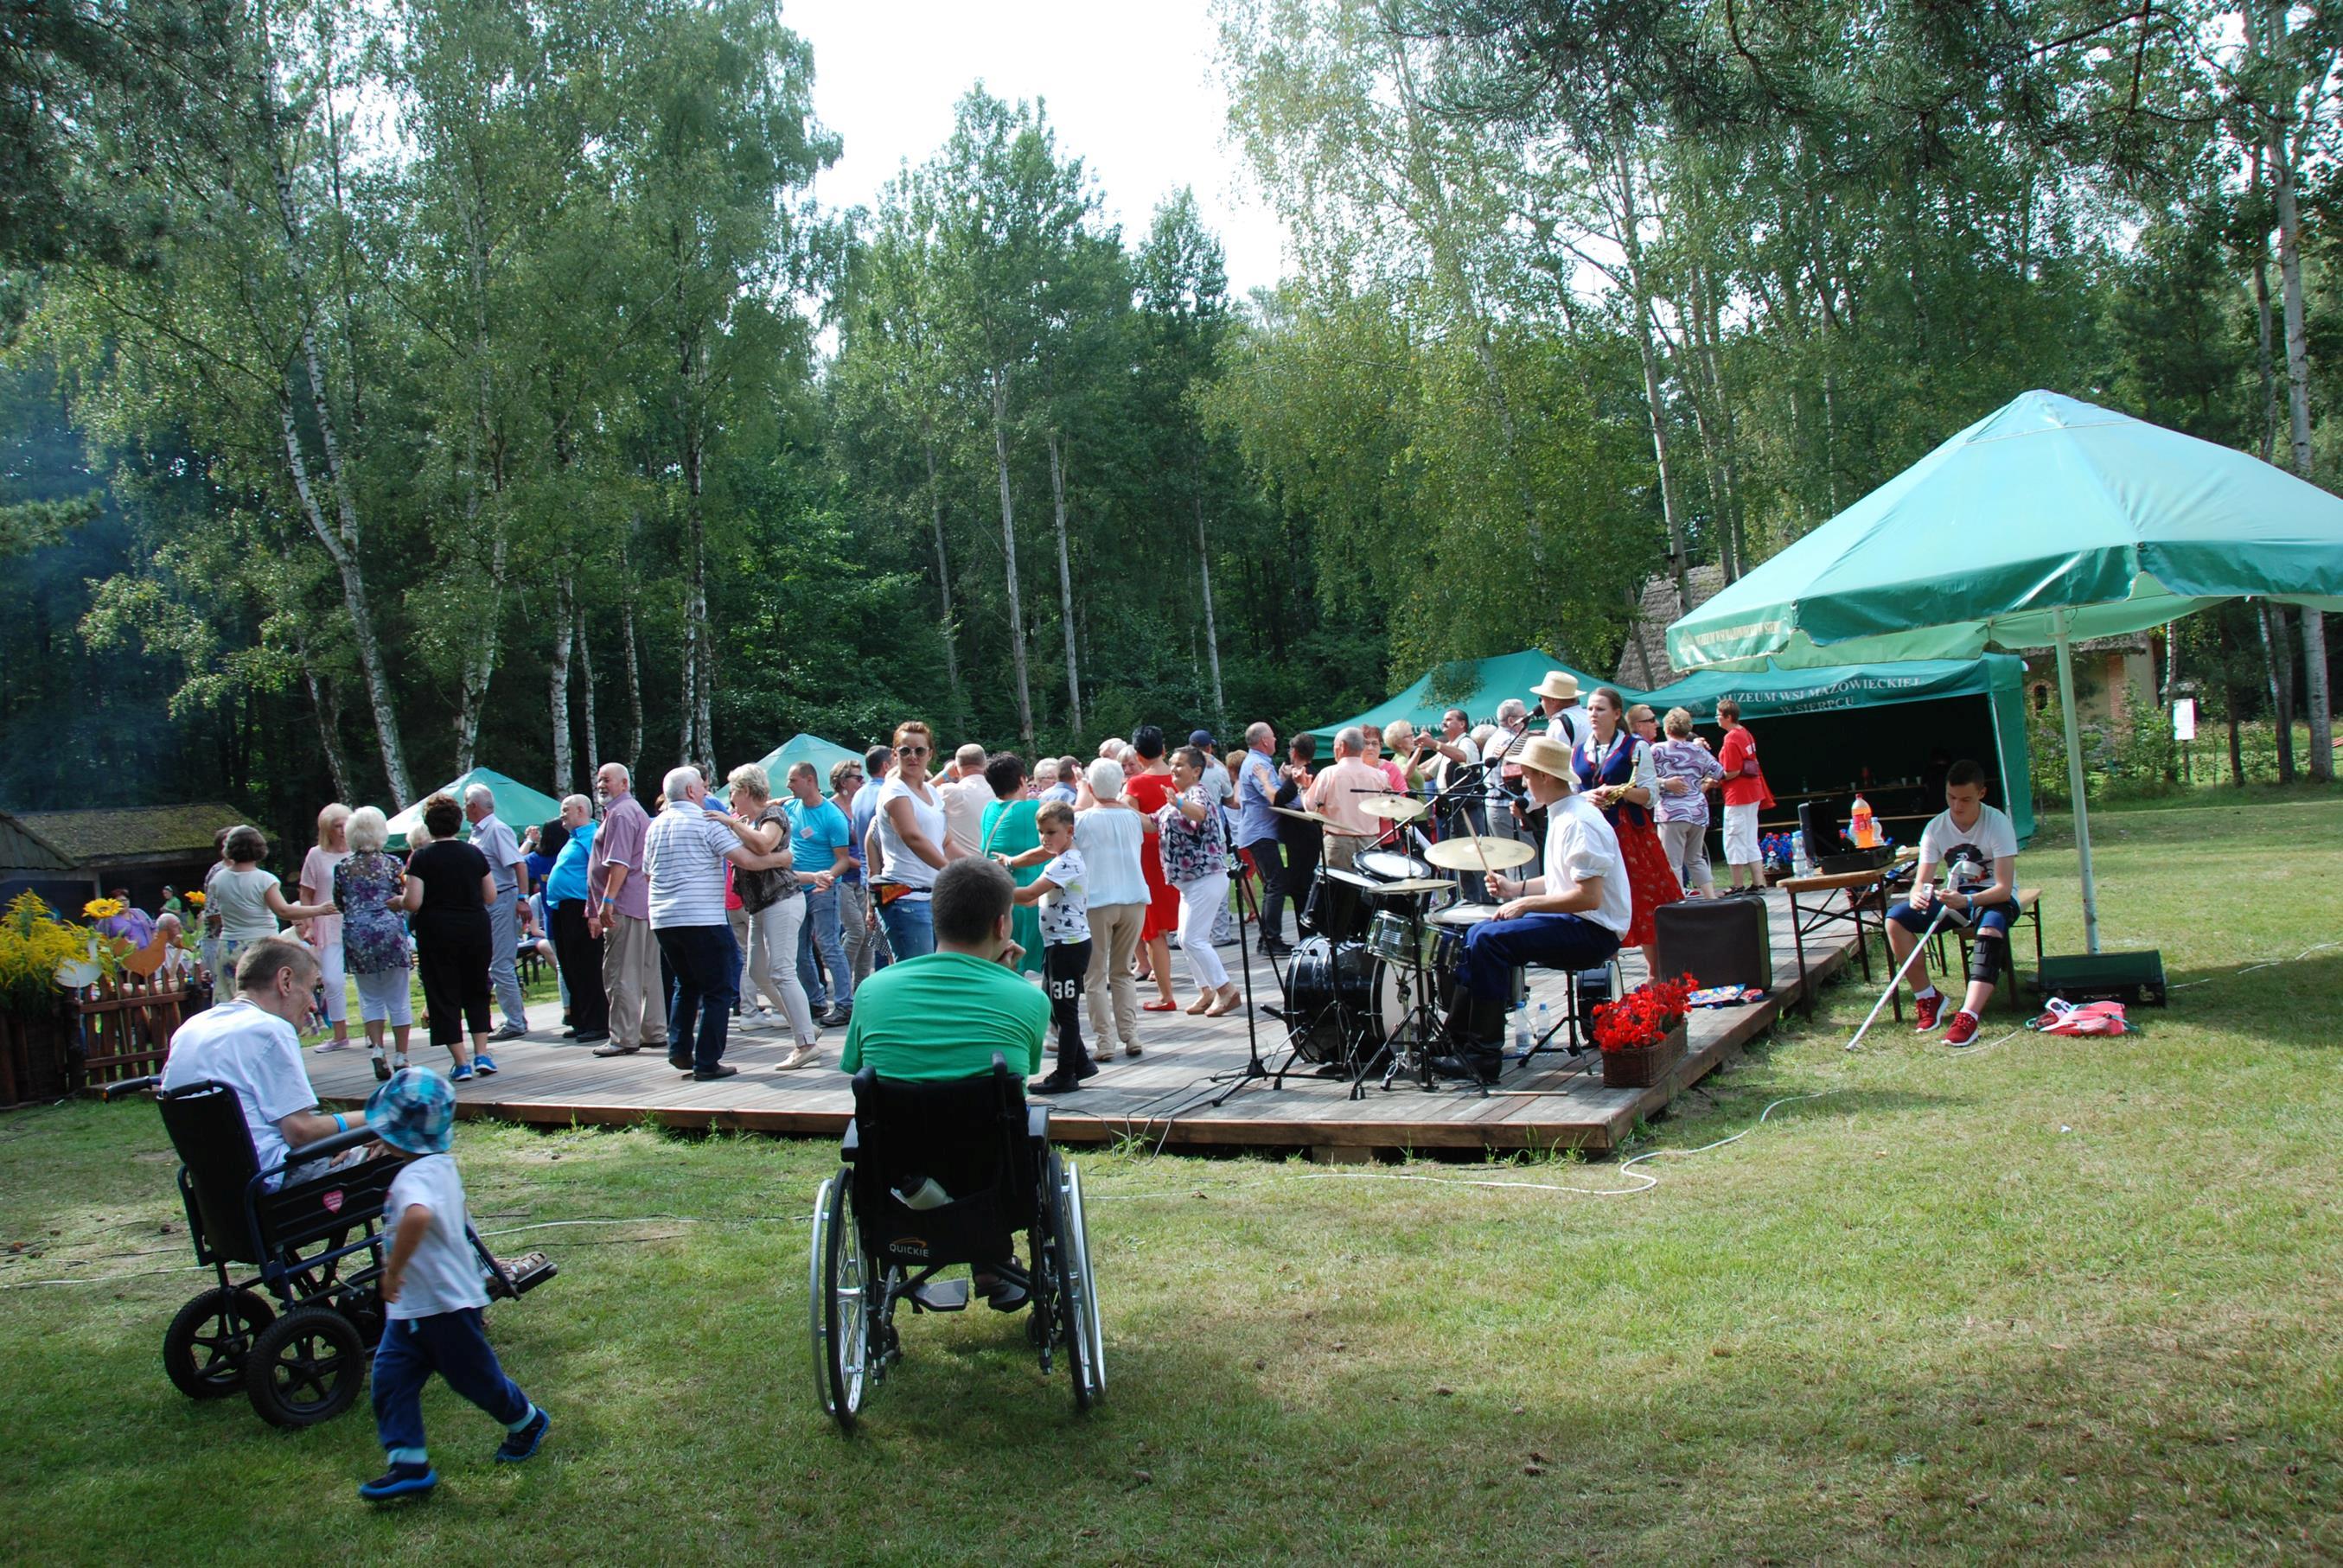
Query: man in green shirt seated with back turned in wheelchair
[943,1016]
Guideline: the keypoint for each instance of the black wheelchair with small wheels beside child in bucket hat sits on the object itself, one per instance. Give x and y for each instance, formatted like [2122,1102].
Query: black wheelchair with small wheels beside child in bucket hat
[317,1248]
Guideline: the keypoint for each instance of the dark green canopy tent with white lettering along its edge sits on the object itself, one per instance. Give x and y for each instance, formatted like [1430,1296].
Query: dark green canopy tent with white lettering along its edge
[1911,709]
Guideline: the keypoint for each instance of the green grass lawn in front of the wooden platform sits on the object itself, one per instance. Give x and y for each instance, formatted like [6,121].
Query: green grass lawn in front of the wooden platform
[2042,1300]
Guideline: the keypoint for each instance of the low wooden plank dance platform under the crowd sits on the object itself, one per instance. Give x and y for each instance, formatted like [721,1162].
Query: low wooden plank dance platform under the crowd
[1163,1098]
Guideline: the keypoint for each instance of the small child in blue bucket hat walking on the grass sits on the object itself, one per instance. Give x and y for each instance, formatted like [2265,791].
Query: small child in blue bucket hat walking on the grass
[432,1293]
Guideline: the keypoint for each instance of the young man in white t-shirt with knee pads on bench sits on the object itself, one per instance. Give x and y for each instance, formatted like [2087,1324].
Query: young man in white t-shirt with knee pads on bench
[1979,852]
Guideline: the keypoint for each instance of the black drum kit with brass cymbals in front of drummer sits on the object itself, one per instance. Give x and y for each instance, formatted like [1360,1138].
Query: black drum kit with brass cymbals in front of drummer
[1372,976]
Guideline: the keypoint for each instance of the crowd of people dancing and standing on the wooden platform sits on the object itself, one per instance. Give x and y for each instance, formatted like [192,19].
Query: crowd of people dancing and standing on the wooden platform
[671,915]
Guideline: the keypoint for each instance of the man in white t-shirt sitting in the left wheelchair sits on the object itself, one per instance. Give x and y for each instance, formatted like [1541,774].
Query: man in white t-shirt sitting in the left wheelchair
[252,1044]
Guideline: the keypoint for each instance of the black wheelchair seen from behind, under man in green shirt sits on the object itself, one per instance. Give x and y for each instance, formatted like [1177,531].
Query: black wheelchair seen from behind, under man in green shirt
[978,1159]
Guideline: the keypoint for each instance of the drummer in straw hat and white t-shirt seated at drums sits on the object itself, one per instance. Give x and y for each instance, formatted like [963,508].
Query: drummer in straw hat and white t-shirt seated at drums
[1571,918]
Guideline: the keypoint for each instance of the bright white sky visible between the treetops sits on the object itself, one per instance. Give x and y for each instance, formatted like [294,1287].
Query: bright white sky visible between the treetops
[1130,93]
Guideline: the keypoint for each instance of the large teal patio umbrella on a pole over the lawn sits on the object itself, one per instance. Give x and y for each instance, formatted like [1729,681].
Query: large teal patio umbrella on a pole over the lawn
[2042,524]
